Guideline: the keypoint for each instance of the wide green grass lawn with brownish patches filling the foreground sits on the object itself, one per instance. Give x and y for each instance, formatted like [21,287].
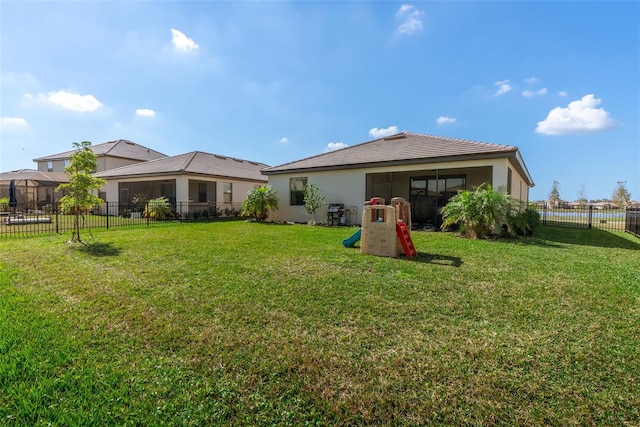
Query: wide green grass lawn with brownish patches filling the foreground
[236,323]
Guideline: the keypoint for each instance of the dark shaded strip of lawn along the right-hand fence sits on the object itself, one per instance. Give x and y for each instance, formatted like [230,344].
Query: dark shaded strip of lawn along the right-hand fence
[557,236]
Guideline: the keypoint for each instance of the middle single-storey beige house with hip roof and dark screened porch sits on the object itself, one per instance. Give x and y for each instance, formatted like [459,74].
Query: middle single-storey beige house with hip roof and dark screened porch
[190,181]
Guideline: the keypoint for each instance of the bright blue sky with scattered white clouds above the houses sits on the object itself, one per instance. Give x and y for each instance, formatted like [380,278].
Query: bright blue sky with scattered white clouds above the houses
[278,81]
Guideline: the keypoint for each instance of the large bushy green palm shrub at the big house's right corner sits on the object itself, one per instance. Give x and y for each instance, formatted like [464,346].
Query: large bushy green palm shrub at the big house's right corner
[480,211]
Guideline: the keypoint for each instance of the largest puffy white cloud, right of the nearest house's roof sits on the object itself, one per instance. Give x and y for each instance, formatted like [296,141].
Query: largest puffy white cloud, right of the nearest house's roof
[579,116]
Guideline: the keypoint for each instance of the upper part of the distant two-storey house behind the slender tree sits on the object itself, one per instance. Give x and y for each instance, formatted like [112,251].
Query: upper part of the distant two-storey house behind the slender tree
[110,155]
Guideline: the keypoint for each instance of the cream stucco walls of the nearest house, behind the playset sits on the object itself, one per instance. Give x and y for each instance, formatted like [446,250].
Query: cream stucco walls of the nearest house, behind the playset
[349,186]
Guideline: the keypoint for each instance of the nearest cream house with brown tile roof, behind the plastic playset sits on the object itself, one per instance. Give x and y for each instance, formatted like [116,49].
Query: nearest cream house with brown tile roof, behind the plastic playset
[425,170]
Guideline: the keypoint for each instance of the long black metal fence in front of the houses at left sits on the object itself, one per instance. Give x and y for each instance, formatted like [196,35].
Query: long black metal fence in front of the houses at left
[22,221]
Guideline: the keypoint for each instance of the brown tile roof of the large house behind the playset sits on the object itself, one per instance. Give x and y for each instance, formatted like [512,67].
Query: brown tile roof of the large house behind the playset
[401,148]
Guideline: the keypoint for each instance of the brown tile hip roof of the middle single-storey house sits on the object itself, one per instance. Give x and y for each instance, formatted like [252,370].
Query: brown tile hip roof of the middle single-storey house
[195,162]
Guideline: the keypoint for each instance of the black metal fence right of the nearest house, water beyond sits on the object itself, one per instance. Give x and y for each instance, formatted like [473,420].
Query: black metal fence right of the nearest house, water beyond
[611,219]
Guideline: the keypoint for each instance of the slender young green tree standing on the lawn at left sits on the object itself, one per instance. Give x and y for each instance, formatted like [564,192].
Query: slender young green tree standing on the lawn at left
[80,197]
